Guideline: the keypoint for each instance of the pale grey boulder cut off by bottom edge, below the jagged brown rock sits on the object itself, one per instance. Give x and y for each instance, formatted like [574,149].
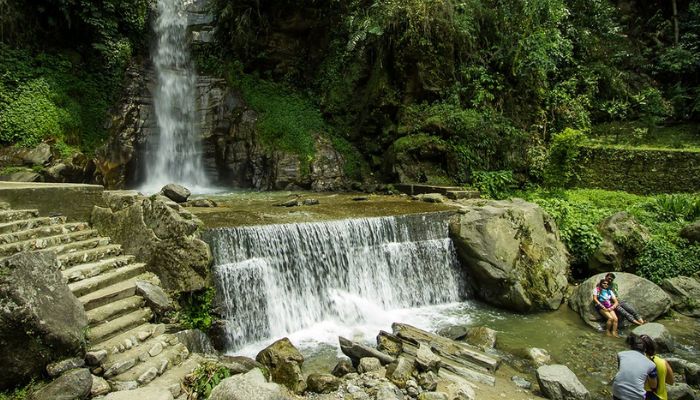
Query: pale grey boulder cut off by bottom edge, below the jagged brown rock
[248,386]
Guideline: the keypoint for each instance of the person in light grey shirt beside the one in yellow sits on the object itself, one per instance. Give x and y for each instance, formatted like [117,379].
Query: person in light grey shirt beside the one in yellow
[634,370]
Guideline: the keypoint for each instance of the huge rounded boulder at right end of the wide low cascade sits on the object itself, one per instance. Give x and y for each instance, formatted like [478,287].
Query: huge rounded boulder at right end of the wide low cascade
[513,254]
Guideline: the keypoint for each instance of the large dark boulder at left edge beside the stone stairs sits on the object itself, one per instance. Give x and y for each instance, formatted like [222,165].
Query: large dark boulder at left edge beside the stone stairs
[40,319]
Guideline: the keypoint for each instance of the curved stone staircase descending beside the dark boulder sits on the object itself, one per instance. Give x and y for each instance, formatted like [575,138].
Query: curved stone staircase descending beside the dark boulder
[125,348]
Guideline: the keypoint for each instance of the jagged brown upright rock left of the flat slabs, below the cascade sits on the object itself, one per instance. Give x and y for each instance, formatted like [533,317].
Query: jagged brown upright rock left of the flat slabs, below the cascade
[284,362]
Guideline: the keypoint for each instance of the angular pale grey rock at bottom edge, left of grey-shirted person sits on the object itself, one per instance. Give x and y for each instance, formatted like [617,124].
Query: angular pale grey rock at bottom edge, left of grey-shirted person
[557,382]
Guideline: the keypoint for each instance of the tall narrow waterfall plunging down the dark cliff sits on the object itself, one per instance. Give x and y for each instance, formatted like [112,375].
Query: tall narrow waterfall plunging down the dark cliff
[176,156]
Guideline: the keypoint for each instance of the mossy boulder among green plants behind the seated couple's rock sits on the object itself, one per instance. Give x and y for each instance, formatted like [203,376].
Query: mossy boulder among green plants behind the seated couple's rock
[623,239]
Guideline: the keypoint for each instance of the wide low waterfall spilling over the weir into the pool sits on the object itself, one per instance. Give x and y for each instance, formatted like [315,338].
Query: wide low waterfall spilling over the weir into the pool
[274,280]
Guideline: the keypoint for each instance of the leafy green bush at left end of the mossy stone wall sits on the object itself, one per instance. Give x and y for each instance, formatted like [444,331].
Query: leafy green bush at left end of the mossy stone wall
[563,158]
